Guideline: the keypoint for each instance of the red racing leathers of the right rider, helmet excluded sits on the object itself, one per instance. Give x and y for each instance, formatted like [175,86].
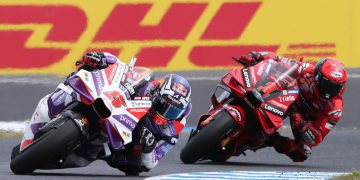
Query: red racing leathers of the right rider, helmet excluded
[311,117]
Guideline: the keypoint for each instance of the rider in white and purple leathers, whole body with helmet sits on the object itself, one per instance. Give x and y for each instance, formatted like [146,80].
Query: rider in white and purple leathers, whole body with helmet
[154,136]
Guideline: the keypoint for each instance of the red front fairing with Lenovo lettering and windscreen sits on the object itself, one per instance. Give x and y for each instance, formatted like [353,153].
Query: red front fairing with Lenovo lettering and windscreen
[276,103]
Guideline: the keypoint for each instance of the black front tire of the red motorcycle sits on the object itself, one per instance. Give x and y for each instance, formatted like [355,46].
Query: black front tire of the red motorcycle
[207,138]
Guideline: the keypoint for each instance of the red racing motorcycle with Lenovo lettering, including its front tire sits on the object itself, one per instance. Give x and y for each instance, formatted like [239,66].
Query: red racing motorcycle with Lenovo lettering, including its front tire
[248,106]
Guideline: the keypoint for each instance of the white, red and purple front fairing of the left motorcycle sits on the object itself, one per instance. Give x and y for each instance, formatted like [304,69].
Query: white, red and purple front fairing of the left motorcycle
[109,84]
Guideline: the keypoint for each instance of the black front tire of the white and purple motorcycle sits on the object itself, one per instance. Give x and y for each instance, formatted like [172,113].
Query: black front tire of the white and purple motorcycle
[48,146]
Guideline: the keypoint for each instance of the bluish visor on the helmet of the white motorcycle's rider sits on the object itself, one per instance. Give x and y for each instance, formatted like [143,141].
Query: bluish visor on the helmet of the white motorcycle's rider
[167,110]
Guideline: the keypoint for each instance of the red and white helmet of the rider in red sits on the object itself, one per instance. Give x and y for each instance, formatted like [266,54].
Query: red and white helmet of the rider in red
[330,77]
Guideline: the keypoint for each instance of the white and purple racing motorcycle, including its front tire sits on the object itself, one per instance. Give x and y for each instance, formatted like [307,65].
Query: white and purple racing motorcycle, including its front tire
[107,105]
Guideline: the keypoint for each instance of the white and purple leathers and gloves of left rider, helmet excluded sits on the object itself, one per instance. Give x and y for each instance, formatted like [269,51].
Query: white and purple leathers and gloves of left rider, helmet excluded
[153,137]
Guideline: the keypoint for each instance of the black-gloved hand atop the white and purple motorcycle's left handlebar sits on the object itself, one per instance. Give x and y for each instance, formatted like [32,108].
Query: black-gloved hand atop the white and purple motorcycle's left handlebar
[95,60]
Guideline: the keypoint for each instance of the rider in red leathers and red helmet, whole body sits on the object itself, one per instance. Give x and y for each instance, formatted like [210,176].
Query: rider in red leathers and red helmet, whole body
[318,109]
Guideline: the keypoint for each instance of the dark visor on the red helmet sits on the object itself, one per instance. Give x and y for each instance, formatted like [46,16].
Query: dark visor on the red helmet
[327,88]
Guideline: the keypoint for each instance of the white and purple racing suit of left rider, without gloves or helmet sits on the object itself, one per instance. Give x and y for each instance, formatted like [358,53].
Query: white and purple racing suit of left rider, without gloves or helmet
[128,159]
